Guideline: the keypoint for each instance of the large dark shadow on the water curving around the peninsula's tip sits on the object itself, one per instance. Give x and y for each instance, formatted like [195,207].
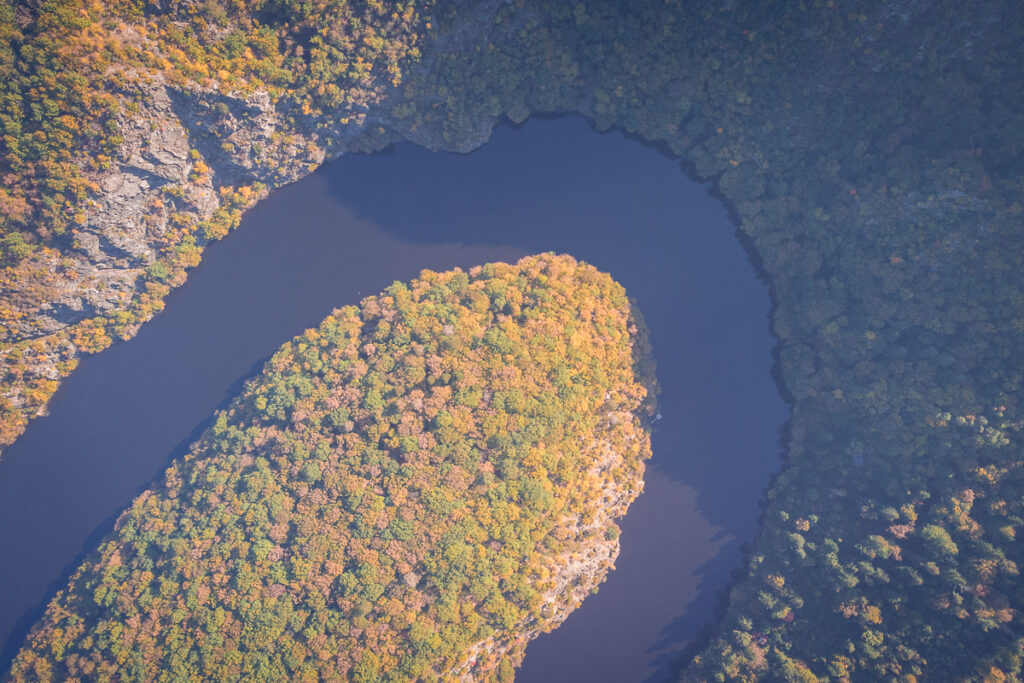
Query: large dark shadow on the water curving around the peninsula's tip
[667,239]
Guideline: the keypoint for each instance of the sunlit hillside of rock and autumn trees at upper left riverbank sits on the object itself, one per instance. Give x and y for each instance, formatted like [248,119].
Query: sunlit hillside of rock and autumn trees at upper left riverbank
[132,141]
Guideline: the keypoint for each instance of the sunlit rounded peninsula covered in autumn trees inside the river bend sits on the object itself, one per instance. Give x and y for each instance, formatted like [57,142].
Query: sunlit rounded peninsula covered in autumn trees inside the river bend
[411,491]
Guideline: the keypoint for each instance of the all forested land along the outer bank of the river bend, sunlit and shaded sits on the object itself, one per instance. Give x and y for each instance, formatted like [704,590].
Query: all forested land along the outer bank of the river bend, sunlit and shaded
[872,155]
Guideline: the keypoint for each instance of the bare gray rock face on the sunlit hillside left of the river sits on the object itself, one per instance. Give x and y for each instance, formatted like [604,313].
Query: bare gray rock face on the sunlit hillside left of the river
[180,149]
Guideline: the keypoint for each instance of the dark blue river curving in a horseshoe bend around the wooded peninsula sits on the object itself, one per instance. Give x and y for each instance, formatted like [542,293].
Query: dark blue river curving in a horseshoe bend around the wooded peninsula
[353,229]
